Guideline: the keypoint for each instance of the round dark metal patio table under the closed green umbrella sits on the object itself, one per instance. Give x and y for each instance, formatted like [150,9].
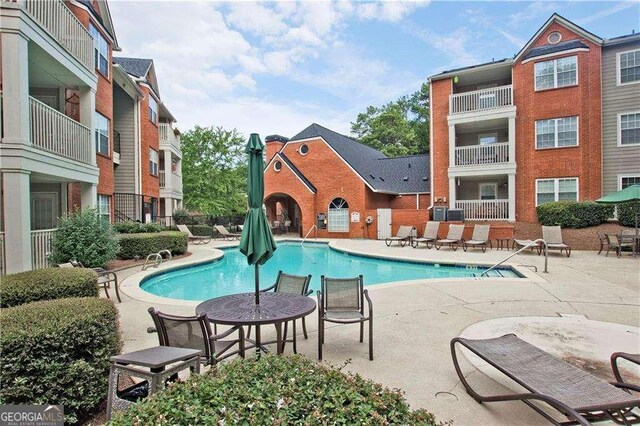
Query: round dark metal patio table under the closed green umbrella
[274,308]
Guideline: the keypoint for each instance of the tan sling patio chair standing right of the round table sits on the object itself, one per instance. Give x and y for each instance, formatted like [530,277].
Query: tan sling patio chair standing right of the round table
[341,301]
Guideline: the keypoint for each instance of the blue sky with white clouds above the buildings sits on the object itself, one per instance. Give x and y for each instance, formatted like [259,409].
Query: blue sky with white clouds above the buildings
[276,67]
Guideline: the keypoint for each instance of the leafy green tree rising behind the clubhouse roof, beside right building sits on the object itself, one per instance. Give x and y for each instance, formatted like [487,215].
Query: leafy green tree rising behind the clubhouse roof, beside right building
[398,128]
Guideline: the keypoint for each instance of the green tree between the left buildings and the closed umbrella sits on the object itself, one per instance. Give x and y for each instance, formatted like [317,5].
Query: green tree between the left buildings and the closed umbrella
[214,171]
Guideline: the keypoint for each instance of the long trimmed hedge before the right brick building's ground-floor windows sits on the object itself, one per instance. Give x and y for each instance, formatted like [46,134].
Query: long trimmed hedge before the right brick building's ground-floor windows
[571,214]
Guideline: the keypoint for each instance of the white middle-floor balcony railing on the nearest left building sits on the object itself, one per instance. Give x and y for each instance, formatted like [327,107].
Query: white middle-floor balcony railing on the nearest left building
[53,131]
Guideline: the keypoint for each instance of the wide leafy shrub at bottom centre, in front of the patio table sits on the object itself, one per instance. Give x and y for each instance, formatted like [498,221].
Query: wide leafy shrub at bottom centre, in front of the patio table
[275,390]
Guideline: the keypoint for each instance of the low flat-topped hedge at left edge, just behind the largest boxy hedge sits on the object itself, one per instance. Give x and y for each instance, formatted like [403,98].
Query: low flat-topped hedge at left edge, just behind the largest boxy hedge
[46,284]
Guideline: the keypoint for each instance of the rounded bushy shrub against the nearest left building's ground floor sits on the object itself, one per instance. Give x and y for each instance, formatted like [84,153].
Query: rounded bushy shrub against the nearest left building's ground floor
[84,236]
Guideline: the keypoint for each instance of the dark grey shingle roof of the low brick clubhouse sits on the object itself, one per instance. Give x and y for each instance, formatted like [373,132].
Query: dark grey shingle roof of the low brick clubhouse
[401,175]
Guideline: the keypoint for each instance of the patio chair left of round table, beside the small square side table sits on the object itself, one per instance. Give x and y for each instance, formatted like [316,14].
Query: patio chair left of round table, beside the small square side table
[194,332]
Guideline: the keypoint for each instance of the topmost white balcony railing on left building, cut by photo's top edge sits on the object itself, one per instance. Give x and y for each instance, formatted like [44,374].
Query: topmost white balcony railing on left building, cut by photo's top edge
[63,25]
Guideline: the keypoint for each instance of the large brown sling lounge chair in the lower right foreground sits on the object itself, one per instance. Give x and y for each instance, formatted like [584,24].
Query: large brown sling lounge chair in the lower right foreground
[576,394]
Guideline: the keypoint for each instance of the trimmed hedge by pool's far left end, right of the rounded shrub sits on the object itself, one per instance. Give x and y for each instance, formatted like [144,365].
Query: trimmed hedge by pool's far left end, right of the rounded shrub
[141,245]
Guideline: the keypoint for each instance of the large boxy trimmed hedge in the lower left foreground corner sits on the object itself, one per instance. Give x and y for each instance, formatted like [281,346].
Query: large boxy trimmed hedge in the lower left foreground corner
[57,352]
